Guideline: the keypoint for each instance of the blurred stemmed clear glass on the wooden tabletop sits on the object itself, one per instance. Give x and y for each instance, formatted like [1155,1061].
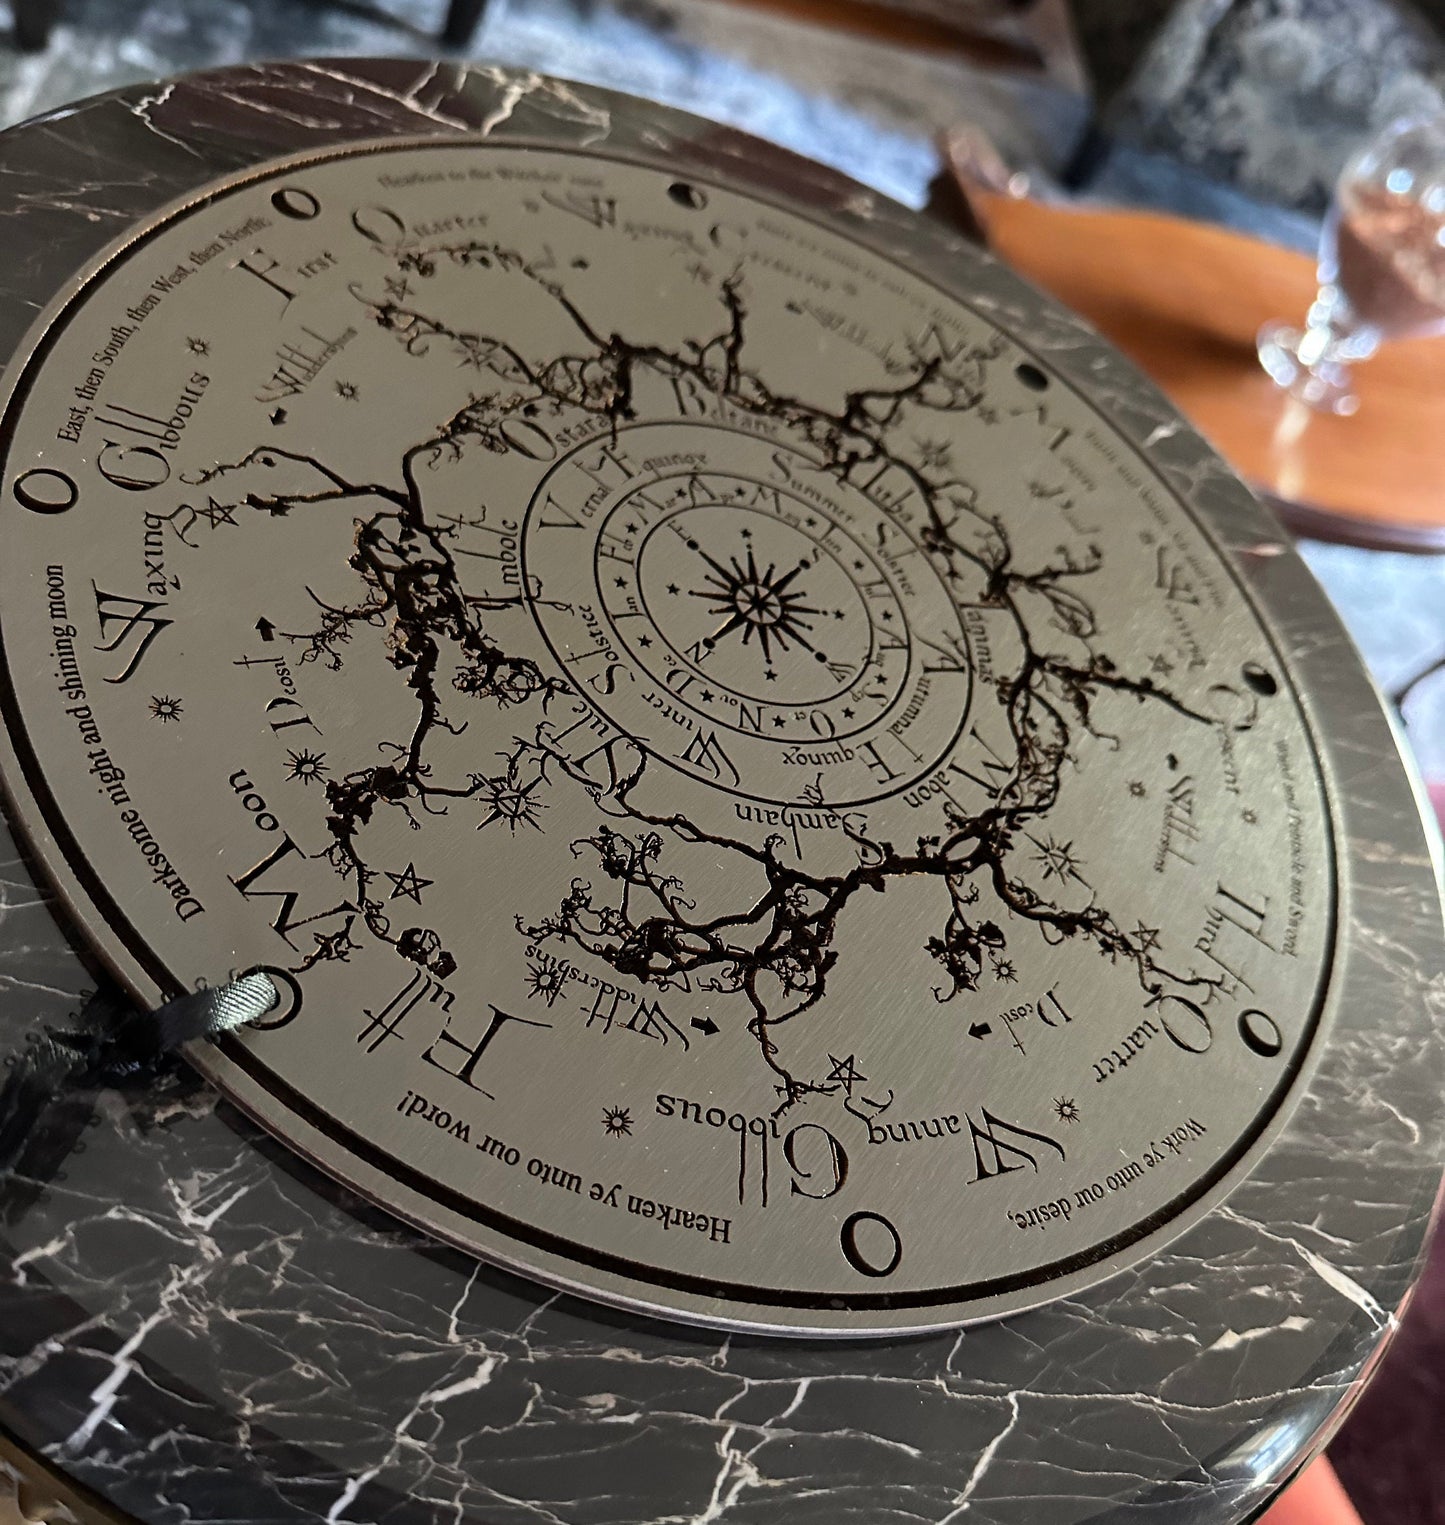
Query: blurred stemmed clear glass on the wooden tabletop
[1382,268]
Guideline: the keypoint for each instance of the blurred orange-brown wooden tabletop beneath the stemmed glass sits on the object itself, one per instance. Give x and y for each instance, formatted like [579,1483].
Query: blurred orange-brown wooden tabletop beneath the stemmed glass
[1185,301]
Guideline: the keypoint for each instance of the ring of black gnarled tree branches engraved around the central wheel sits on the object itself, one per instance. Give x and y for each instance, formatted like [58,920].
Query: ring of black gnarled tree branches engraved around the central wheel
[780,949]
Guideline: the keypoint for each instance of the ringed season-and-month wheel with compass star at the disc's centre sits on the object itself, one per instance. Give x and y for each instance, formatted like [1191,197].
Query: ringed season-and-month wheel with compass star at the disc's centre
[742,586]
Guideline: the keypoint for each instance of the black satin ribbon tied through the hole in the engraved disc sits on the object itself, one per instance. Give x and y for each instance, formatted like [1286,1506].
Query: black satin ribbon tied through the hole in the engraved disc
[50,1093]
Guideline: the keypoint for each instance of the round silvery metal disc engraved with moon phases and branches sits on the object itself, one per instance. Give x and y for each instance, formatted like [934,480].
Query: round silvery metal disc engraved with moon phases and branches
[763,804]
